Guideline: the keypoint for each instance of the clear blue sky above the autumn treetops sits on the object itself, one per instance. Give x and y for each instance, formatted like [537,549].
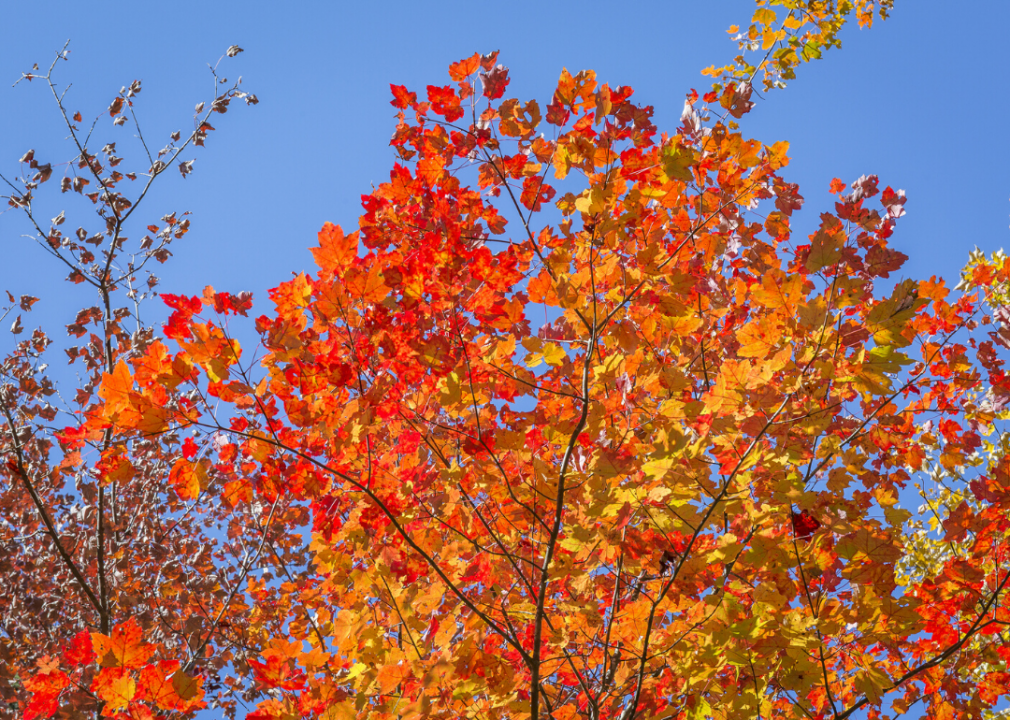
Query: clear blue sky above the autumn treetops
[920,100]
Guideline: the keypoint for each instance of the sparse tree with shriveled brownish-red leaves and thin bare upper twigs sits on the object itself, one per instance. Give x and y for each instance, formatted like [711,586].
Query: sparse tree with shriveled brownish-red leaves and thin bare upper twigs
[103,561]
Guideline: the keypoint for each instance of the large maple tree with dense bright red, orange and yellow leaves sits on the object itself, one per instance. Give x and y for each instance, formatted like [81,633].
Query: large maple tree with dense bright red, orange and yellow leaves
[679,496]
